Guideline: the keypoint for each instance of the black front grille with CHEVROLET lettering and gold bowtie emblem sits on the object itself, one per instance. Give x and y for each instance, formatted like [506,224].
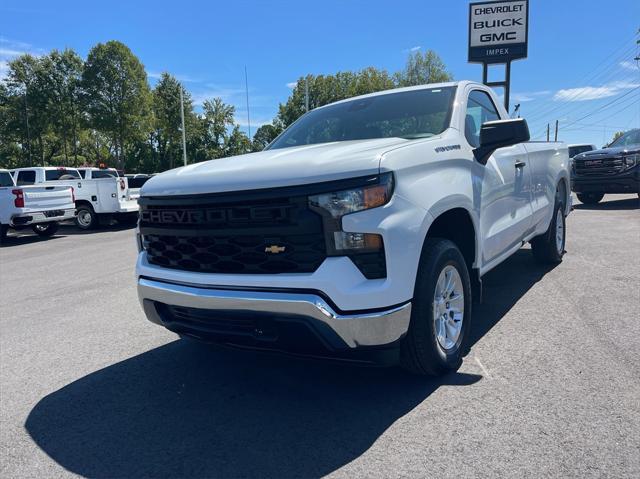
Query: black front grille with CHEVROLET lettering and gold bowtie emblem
[262,236]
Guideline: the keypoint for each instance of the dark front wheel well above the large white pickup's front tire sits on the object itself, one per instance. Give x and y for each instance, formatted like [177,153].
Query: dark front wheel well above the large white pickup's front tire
[456,225]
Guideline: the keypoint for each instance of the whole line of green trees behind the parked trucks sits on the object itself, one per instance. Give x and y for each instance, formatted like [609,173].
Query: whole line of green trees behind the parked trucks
[60,110]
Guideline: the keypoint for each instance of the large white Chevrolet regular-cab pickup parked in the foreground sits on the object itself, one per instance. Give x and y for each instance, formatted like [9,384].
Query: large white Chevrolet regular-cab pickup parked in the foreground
[361,232]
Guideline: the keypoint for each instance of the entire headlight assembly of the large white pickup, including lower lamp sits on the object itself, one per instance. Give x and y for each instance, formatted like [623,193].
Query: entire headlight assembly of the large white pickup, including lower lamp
[333,206]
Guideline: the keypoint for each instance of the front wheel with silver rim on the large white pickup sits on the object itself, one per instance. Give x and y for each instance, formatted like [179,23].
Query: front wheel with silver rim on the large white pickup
[425,350]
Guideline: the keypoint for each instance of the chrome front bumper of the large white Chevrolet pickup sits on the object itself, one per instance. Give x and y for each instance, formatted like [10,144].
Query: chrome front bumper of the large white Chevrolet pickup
[265,316]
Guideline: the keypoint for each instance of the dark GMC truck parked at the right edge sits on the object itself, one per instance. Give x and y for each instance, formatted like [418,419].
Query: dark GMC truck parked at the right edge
[614,169]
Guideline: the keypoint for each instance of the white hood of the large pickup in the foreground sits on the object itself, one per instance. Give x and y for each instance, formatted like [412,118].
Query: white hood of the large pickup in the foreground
[272,168]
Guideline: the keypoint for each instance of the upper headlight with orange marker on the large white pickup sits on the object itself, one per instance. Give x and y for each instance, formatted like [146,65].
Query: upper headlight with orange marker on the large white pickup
[341,203]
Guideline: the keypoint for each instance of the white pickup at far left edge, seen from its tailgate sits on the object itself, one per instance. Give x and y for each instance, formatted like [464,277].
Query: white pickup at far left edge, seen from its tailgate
[40,207]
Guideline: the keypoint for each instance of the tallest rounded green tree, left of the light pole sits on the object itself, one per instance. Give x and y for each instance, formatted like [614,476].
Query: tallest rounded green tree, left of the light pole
[118,99]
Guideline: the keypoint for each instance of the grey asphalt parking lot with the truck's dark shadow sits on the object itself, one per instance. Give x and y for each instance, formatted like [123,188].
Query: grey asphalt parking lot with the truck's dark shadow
[551,386]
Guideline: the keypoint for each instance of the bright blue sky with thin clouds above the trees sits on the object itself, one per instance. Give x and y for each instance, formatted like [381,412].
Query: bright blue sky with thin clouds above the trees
[580,52]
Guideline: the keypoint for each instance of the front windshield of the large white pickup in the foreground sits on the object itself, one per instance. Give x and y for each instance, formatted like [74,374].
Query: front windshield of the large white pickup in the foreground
[409,114]
